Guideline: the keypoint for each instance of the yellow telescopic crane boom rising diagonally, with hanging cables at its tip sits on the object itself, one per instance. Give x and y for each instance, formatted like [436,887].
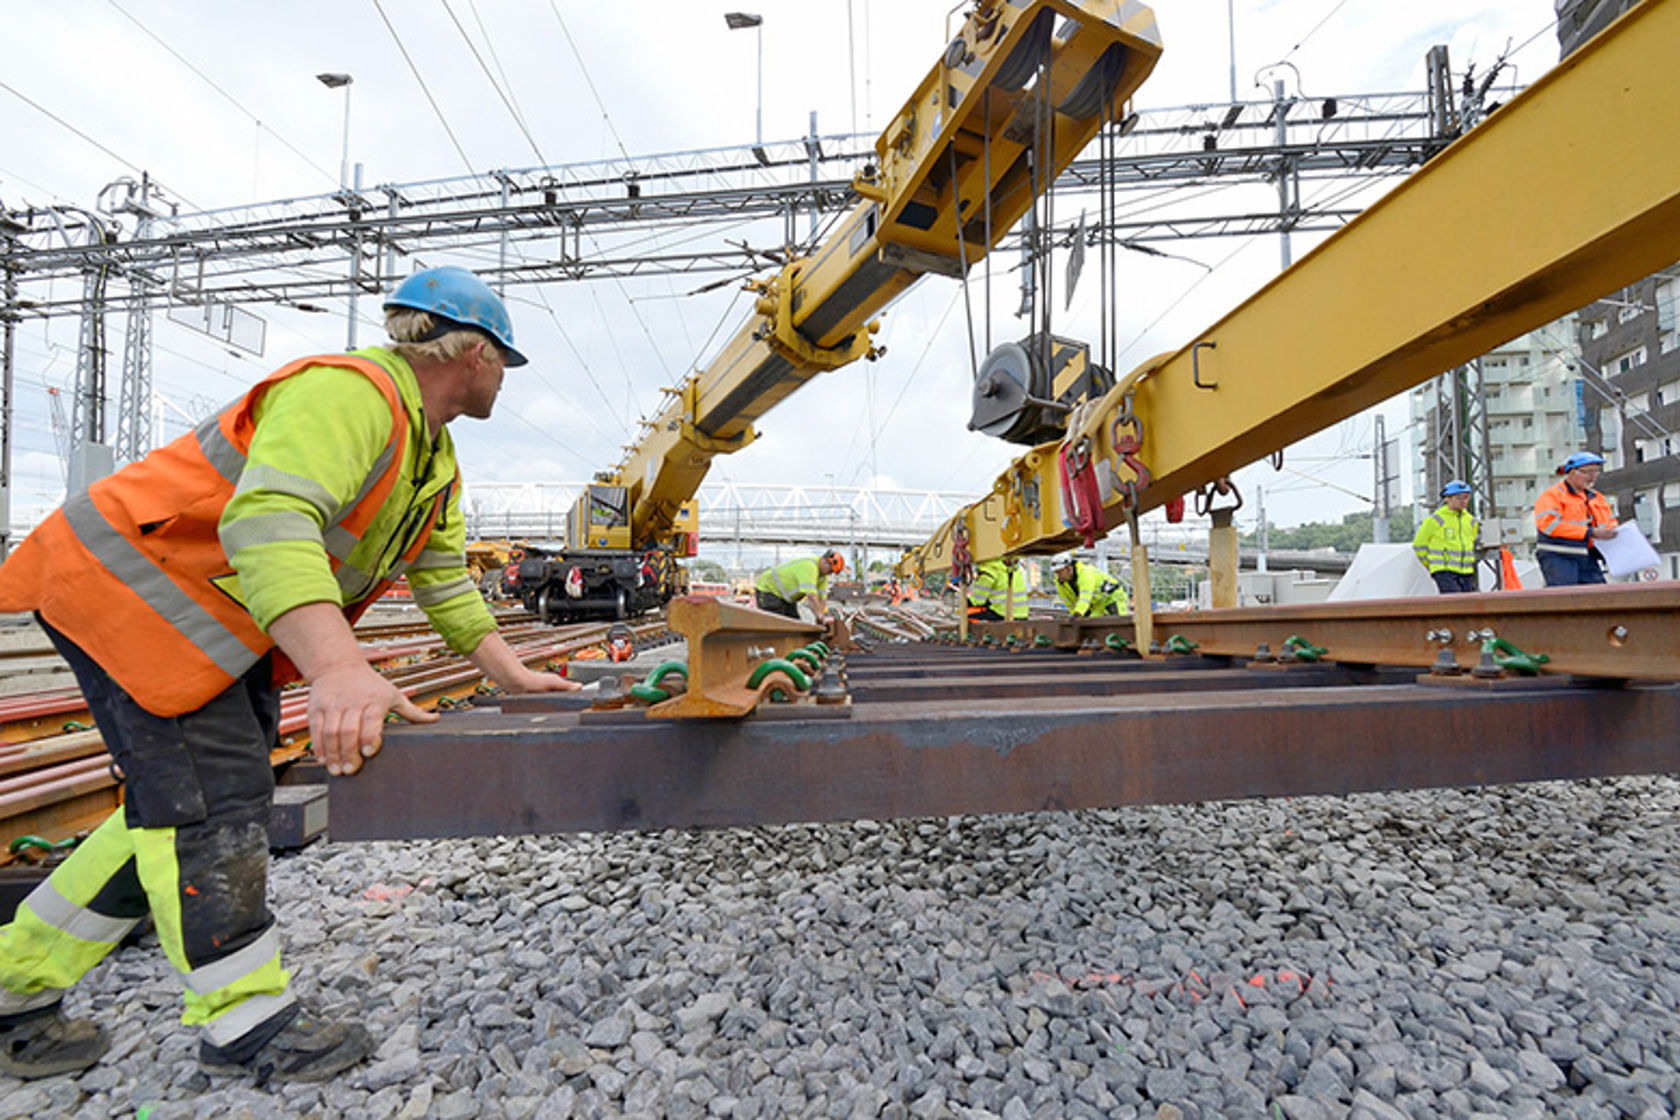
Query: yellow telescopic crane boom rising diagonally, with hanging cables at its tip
[1019,92]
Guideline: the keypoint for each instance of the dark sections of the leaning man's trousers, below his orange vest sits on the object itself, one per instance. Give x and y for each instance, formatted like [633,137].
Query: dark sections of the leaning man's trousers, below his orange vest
[207,777]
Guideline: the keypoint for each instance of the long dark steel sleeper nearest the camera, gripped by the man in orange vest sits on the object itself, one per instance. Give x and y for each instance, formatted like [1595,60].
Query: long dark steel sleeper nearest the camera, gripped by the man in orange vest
[537,768]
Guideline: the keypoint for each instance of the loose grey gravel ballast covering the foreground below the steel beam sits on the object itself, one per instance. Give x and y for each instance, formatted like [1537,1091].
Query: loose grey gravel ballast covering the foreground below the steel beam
[1494,953]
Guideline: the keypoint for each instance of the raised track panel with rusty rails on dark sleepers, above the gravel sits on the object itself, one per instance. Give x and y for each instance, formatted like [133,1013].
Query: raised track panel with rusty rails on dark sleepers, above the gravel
[765,725]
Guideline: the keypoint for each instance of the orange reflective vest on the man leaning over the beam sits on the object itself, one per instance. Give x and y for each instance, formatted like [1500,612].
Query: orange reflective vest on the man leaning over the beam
[130,570]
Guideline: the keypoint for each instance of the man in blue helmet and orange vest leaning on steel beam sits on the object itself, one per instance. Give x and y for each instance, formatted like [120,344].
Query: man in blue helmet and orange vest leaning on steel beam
[169,585]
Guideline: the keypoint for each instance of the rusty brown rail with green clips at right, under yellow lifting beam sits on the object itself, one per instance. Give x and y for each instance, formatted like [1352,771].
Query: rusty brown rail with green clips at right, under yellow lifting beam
[1625,632]
